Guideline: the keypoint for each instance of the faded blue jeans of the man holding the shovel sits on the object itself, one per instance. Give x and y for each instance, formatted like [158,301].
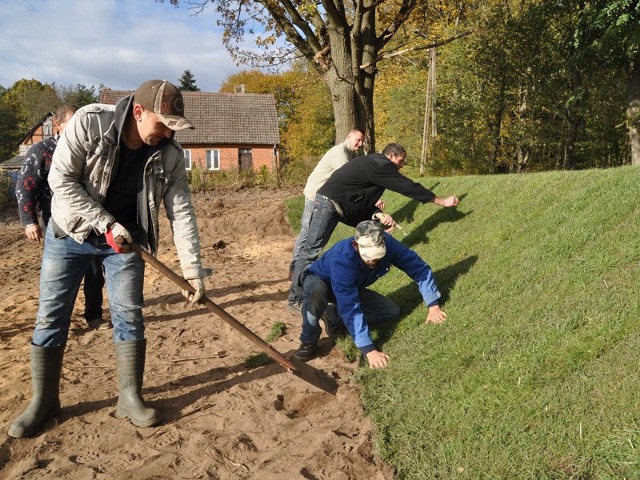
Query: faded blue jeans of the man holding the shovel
[64,263]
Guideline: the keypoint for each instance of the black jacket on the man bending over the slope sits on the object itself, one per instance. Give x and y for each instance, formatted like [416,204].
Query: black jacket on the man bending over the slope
[359,184]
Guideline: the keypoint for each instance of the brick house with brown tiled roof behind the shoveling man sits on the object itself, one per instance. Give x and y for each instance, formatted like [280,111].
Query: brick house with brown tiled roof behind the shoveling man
[233,131]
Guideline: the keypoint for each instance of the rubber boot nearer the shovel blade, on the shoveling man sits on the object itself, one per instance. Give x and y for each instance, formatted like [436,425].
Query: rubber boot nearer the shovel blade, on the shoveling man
[130,356]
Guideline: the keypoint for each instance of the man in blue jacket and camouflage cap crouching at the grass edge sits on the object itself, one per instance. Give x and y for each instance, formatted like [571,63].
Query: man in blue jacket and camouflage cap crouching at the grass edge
[342,274]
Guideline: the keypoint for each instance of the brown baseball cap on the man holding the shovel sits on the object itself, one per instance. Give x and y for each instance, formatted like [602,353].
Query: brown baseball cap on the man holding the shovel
[165,100]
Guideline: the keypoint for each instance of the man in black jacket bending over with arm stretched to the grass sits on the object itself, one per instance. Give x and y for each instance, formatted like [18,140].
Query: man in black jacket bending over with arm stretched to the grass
[349,196]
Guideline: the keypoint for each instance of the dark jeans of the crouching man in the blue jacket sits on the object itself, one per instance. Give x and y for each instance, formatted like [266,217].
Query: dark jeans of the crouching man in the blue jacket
[317,294]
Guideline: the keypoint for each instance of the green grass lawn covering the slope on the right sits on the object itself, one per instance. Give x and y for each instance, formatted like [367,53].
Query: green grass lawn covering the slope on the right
[534,375]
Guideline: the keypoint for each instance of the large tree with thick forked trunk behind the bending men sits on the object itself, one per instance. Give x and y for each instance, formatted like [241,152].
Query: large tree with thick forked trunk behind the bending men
[343,41]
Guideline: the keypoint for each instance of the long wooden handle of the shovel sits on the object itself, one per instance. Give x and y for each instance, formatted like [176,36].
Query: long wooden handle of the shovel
[184,285]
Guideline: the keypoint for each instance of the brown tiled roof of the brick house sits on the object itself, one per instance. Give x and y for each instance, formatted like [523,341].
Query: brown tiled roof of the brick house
[222,118]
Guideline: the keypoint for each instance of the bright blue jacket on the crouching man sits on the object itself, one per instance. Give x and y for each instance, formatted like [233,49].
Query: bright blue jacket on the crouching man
[342,268]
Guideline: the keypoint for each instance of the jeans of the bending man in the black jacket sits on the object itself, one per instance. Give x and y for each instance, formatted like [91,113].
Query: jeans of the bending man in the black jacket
[324,220]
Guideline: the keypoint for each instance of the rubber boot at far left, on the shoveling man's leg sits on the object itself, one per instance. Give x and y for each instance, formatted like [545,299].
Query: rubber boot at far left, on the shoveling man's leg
[46,366]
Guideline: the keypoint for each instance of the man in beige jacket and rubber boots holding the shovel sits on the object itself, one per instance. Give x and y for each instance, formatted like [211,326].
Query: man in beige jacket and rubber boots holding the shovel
[113,167]
